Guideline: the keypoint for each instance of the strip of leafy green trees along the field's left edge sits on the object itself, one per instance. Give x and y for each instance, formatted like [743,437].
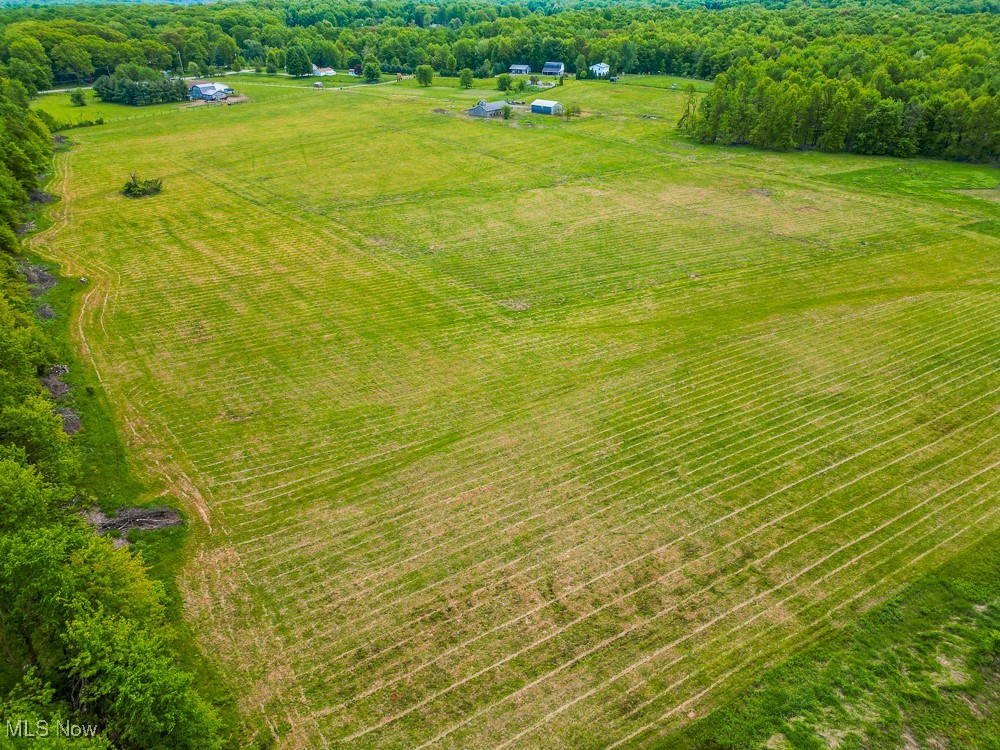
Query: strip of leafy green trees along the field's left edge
[83,634]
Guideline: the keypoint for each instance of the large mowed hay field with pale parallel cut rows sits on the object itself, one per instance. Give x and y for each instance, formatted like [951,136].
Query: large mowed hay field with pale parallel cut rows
[533,435]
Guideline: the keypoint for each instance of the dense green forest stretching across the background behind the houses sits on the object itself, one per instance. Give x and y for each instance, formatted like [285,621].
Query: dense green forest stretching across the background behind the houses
[899,78]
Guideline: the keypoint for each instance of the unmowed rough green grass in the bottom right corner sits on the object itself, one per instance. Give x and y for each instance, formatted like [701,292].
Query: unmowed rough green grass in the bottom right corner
[921,668]
